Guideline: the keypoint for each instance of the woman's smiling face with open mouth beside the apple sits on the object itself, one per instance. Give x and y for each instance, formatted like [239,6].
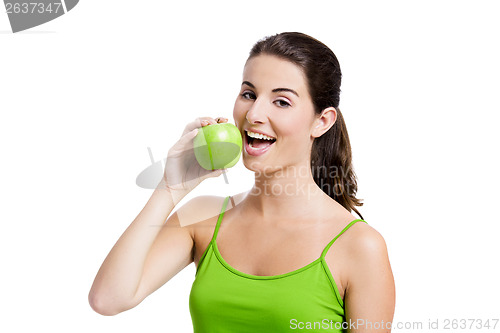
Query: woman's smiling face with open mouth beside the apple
[274,100]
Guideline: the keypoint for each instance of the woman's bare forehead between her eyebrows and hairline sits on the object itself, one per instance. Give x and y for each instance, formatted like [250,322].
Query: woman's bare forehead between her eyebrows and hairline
[269,72]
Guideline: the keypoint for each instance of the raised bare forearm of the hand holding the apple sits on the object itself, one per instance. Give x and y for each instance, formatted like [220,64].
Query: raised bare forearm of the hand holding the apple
[118,278]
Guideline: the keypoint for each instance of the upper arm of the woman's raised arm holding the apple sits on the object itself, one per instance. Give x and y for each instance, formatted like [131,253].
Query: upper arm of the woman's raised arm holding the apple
[172,250]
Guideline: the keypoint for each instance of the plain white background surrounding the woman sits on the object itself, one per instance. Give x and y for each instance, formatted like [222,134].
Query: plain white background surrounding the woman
[83,96]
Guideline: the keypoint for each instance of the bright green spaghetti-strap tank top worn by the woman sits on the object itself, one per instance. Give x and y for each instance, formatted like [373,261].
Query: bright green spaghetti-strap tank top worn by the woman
[223,299]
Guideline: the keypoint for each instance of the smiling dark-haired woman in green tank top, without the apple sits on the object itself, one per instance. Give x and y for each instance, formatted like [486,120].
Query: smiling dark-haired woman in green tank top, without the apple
[286,255]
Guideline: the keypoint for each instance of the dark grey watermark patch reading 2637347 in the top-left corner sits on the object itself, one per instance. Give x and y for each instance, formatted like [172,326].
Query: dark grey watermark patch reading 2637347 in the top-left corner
[25,15]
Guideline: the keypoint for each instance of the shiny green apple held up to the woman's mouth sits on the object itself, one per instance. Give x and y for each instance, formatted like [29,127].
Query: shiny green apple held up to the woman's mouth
[217,146]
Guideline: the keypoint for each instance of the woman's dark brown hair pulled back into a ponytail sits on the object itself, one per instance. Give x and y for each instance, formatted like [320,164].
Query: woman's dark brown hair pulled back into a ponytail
[331,157]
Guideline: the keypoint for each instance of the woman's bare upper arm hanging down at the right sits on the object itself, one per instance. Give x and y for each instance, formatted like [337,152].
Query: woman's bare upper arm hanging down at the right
[370,291]
